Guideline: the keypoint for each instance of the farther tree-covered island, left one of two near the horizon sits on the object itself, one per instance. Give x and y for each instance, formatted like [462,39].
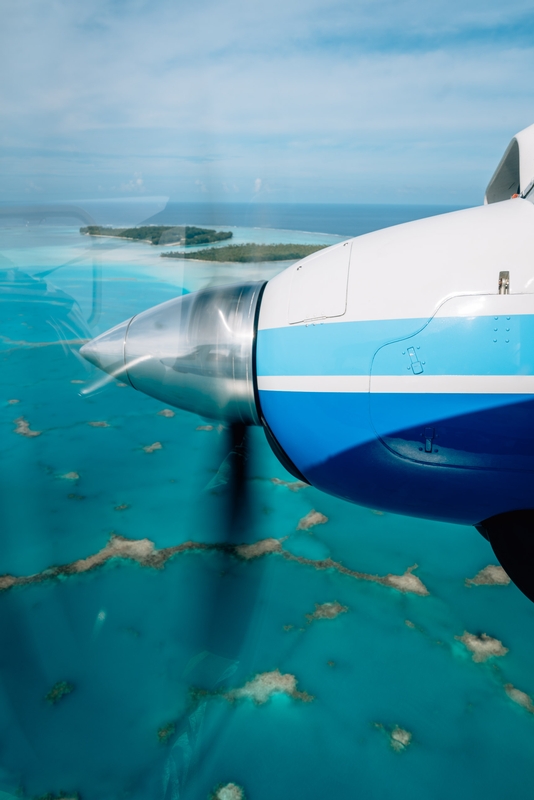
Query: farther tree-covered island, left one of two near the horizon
[186,235]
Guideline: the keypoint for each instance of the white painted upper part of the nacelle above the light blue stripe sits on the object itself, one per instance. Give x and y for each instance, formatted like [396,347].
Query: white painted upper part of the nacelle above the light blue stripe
[408,271]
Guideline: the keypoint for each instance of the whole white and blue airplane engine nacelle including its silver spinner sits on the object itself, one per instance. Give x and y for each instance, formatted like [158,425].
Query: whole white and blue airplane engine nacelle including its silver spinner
[394,370]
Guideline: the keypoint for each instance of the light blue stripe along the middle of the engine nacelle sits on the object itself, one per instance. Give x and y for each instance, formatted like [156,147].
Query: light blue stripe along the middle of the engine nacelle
[448,346]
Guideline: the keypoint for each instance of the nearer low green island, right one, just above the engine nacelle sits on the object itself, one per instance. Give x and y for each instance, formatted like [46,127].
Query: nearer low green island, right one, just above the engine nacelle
[250,252]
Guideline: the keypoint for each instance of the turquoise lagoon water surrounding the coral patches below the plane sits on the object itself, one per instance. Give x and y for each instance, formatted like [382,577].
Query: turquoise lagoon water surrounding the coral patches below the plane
[145,648]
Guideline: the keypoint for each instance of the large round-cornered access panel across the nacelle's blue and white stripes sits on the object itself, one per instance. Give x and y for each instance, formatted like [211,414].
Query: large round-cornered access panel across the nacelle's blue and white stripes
[459,392]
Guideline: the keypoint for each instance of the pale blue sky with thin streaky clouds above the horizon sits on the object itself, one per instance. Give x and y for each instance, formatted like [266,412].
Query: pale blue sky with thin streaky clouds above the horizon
[373,101]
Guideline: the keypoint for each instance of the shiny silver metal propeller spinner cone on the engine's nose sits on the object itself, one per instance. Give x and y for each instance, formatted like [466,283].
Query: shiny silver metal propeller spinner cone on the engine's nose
[195,352]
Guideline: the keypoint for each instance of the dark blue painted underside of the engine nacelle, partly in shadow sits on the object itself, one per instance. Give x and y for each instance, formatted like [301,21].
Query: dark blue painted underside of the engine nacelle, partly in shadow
[480,463]
